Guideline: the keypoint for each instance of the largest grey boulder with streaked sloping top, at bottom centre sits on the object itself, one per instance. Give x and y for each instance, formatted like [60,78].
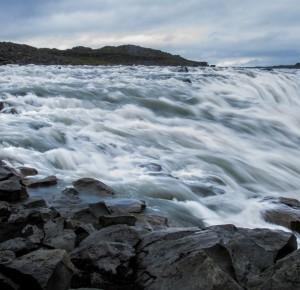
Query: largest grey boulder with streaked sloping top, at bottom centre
[184,259]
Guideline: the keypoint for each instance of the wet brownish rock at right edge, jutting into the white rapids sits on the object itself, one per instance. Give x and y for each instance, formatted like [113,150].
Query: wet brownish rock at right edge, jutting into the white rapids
[286,213]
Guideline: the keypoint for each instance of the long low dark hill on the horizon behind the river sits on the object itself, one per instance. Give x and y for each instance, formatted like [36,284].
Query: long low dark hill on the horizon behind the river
[12,53]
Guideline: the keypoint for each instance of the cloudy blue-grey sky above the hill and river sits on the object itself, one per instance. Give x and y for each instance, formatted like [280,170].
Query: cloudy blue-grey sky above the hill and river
[222,32]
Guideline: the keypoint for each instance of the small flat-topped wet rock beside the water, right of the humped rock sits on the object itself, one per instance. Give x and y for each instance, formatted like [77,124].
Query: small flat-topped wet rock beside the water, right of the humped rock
[125,206]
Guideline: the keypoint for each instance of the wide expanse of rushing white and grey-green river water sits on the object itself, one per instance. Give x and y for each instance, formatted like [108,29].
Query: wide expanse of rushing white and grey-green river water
[212,149]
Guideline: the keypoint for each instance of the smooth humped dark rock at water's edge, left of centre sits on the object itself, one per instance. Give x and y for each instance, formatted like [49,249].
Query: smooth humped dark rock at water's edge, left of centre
[93,186]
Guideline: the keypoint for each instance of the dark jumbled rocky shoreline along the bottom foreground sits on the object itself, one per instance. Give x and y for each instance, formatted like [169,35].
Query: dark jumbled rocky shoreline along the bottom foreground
[120,244]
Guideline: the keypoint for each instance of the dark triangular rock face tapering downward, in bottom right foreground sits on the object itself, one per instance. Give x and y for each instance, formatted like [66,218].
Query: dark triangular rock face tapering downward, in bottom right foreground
[254,250]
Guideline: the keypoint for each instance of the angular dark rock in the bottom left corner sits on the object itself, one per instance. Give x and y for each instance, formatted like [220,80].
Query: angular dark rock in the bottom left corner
[41,270]
